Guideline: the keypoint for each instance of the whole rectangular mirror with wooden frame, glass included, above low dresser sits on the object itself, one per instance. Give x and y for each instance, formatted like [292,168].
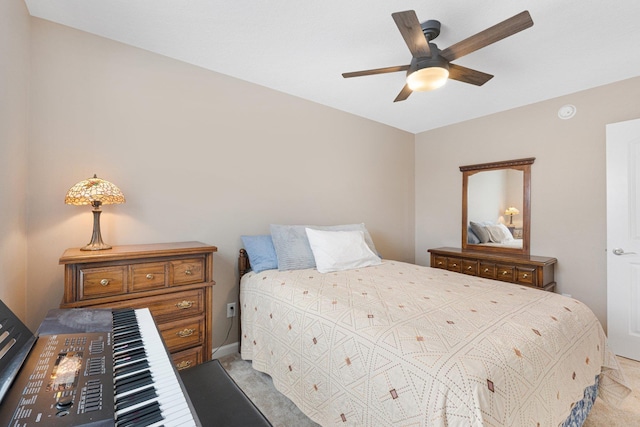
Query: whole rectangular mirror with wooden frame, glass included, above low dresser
[496,211]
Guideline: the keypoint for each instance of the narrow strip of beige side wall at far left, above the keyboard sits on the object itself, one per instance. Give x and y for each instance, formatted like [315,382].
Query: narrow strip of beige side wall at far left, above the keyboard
[14,87]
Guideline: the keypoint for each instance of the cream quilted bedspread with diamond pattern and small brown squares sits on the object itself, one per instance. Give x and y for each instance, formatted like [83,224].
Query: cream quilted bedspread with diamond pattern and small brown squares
[405,345]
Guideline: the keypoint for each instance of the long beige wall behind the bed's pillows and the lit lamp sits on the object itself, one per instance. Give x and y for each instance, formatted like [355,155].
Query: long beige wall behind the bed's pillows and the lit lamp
[199,156]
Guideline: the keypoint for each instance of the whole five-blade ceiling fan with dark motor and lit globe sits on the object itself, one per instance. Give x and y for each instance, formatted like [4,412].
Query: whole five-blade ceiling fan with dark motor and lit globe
[430,67]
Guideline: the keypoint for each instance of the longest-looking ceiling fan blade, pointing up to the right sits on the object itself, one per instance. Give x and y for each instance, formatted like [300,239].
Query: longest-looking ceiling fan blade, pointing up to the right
[504,29]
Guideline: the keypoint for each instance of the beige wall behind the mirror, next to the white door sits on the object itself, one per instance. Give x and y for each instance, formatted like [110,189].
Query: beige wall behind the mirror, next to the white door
[568,200]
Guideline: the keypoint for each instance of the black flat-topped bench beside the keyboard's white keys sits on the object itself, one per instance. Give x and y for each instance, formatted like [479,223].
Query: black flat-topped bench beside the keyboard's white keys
[217,399]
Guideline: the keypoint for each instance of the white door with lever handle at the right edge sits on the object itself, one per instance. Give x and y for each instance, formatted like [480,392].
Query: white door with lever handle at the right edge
[623,238]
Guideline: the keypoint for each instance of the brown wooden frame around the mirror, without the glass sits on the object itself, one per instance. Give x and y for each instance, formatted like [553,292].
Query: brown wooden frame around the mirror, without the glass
[519,164]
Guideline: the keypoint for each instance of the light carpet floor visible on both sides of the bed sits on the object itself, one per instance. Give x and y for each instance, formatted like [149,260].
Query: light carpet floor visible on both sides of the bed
[281,412]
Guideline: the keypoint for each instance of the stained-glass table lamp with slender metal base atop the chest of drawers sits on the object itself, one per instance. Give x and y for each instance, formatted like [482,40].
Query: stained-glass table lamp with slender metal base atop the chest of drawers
[95,192]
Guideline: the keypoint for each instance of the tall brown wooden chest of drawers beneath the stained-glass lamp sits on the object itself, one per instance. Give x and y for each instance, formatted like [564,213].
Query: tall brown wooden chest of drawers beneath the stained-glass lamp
[174,280]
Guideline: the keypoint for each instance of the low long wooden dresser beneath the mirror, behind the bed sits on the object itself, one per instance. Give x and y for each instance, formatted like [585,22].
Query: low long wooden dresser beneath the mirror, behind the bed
[533,271]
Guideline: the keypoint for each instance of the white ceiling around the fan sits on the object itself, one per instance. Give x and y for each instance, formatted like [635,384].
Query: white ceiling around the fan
[302,47]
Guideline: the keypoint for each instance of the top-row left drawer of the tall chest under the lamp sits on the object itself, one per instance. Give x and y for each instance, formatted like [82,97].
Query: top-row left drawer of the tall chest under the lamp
[100,282]
